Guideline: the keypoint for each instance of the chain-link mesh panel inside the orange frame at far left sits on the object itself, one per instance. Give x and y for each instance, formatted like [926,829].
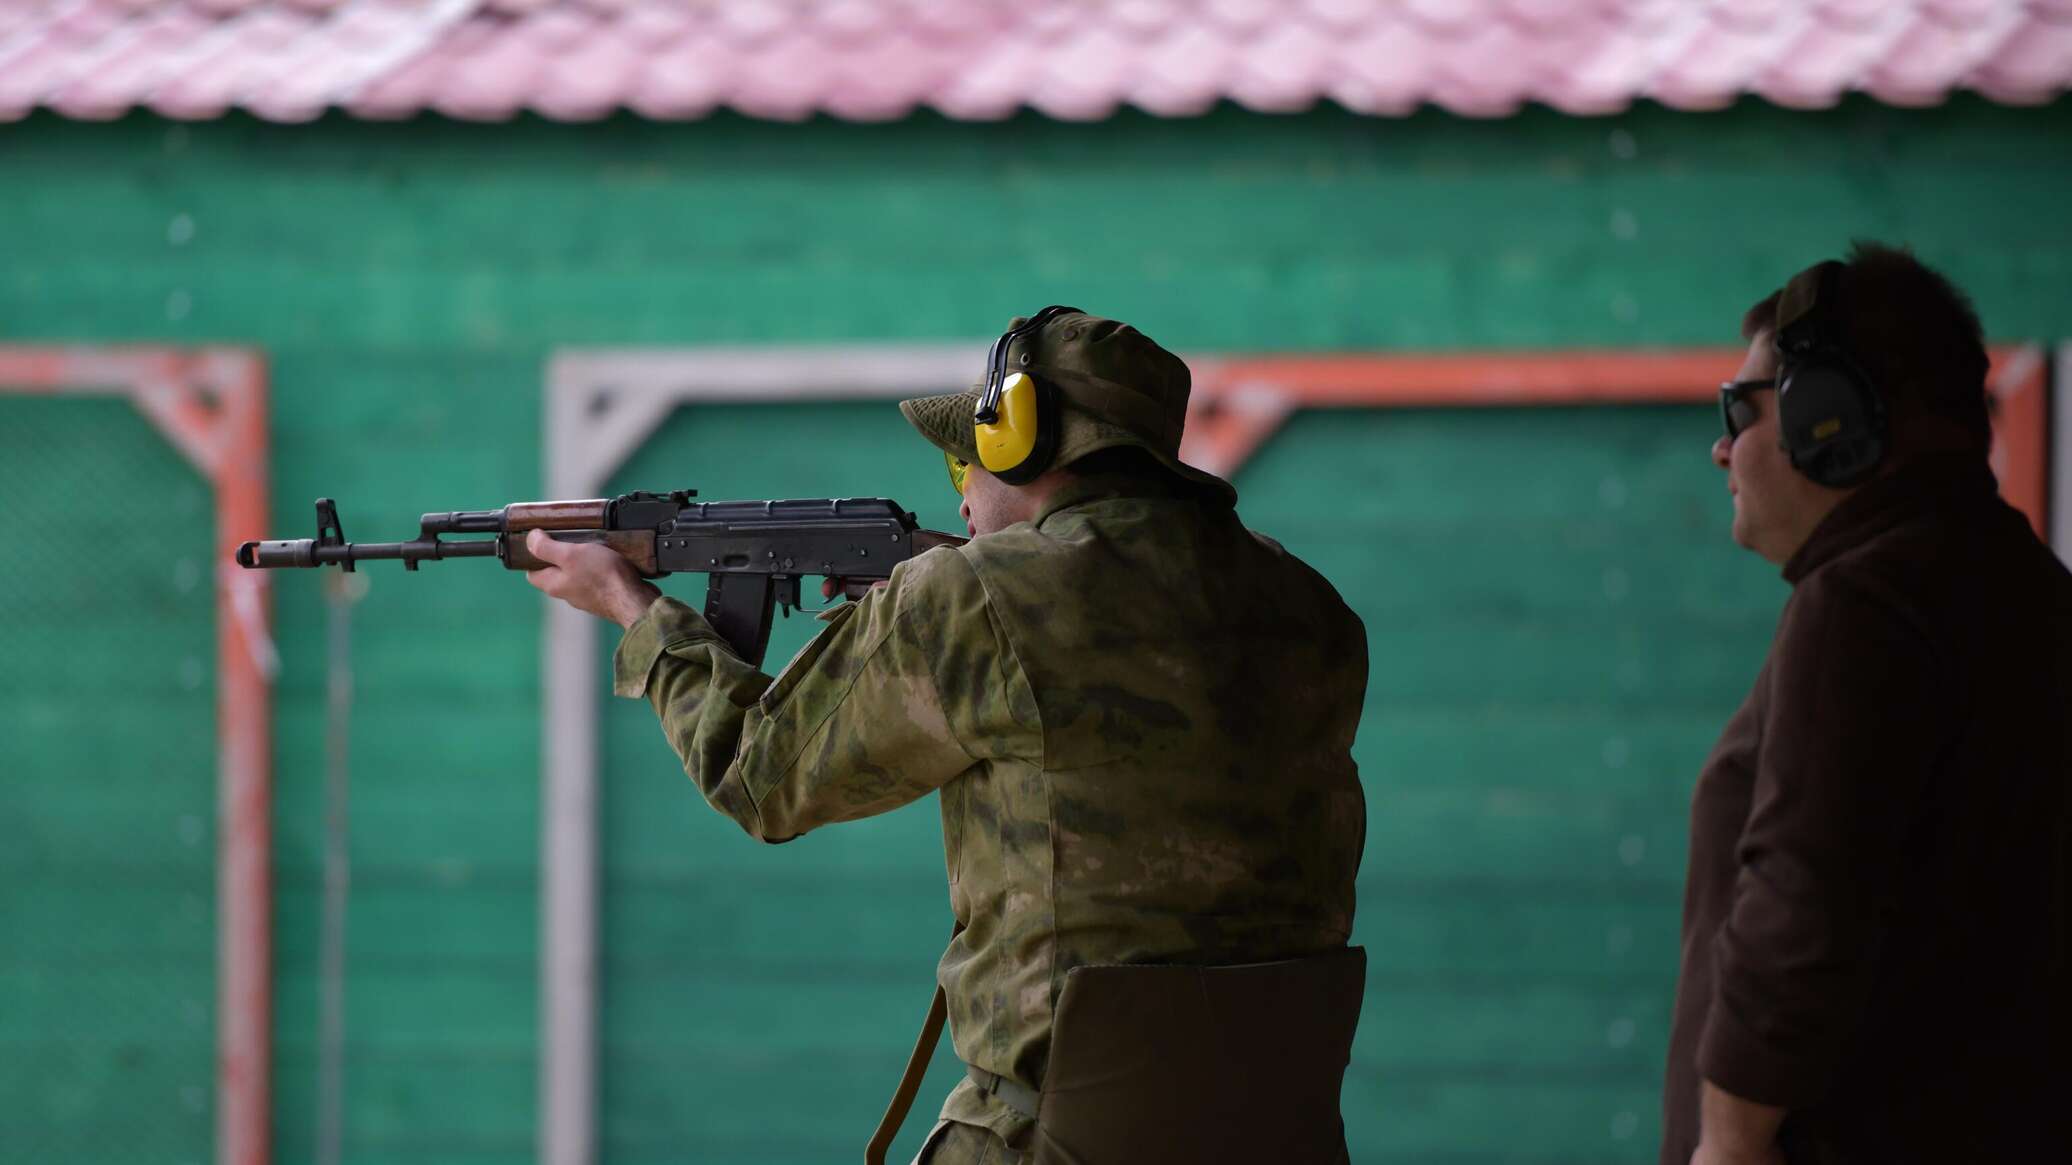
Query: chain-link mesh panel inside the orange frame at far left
[107,791]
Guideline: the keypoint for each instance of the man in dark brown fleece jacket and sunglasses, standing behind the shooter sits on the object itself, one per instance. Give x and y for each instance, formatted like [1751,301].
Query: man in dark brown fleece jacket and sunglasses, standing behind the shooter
[1880,892]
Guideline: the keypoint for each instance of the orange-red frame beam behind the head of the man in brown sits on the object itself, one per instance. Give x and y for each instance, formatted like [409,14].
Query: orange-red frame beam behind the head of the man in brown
[1242,401]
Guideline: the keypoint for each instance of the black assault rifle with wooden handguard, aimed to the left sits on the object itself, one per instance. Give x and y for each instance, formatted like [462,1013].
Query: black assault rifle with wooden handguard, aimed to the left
[755,552]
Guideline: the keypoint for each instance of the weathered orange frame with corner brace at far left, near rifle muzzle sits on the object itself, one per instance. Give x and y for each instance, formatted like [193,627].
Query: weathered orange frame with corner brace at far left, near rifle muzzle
[212,405]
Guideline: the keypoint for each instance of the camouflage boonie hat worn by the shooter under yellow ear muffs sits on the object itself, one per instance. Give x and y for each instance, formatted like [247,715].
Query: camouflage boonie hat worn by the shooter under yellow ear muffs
[1116,387]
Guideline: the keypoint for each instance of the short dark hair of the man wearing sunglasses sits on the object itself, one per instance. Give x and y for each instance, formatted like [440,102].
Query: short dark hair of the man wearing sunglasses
[1911,333]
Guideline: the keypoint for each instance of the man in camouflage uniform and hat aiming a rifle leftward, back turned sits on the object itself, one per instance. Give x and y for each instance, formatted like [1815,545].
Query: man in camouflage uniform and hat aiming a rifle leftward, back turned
[1139,716]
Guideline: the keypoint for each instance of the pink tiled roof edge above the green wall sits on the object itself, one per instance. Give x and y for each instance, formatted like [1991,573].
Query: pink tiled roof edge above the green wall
[987,59]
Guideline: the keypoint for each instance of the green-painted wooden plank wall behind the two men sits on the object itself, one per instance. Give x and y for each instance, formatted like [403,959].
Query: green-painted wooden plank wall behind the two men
[1557,621]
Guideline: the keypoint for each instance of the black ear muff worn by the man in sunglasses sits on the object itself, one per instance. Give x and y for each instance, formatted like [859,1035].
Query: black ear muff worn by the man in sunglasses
[1833,422]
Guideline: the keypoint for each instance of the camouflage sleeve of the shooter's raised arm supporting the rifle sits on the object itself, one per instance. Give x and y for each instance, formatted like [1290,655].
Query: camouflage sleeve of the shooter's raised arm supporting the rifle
[853,727]
